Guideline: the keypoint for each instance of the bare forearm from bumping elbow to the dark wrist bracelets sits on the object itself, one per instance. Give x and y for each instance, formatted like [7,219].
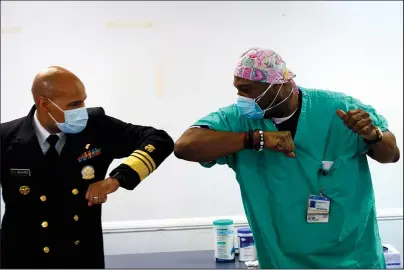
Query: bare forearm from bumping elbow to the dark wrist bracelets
[204,145]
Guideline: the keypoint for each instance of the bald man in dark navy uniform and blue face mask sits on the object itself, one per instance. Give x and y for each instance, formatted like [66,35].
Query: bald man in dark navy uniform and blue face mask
[53,167]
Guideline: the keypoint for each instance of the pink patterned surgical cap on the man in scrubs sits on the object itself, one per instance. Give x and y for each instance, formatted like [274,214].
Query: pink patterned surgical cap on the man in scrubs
[264,65]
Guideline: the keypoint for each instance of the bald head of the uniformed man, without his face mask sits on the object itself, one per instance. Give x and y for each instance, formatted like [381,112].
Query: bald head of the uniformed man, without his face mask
[56,90]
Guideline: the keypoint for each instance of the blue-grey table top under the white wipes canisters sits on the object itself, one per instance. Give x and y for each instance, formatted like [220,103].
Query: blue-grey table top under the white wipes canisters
[189,259]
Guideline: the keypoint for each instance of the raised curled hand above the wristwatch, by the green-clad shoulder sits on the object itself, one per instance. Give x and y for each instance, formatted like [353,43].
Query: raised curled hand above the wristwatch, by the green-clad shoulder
[359,122]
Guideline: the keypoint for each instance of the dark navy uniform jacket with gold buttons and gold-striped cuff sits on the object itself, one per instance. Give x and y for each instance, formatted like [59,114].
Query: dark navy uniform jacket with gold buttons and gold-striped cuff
[47,221]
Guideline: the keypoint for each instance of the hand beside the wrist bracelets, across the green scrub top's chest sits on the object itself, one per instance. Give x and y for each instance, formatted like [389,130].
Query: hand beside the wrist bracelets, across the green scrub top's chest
[280,141]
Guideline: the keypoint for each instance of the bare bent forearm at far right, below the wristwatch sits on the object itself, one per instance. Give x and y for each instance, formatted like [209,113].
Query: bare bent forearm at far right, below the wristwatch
[385,151]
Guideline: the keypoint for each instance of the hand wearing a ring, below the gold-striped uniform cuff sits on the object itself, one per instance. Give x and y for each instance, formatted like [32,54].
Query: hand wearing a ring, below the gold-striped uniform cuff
[97,192]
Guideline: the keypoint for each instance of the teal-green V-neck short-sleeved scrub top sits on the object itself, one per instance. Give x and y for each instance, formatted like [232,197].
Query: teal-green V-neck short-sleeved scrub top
[275,188]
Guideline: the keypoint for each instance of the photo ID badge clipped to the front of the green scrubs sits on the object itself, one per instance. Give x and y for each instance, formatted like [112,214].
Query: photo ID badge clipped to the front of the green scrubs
[318,209]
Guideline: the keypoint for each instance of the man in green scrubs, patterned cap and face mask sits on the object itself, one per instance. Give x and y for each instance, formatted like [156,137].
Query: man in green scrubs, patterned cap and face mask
[300,158]
